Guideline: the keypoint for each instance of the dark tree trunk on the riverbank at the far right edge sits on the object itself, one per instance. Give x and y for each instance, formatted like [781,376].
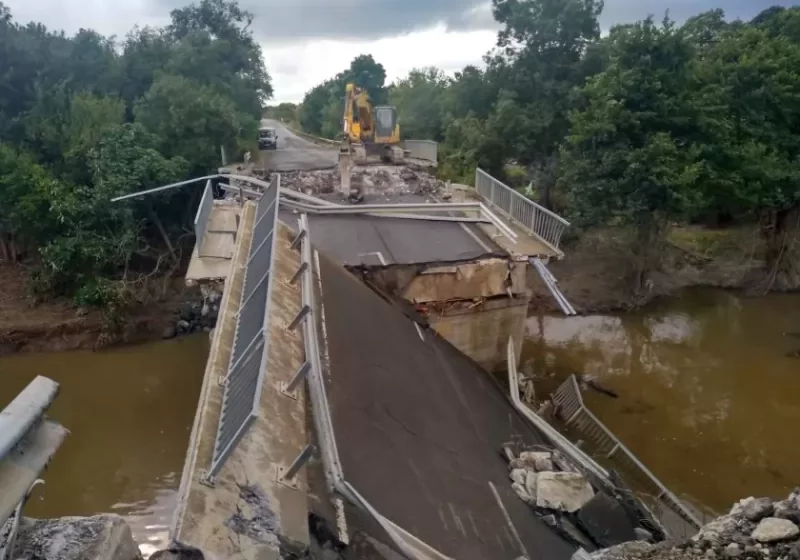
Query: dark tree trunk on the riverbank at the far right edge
[781,231]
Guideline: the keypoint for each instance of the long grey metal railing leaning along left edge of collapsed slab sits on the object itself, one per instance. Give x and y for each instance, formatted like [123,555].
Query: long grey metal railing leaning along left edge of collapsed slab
[245,377]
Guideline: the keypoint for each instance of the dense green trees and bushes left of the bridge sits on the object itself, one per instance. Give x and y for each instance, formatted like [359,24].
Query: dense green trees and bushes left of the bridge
[86,118]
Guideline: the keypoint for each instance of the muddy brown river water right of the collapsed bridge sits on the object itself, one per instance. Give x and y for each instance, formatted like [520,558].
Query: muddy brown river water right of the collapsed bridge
[708,398]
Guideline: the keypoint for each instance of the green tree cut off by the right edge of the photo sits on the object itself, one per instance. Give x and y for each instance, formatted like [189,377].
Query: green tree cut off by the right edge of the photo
[749,107]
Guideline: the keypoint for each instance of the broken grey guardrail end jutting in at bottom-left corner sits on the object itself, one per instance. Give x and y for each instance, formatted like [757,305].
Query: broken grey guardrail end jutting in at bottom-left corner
[27,443]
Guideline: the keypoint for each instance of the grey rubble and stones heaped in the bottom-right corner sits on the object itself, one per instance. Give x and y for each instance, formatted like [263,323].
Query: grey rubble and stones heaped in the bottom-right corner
[755,529]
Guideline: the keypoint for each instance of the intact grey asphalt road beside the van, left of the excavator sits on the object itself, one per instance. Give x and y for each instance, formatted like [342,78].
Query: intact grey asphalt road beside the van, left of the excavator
[295,153]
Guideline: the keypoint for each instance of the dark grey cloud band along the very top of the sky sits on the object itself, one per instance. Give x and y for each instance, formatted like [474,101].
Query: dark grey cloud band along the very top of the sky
[289,21]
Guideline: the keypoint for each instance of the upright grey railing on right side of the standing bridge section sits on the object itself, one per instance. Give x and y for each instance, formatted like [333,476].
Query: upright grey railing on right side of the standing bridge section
[535,219]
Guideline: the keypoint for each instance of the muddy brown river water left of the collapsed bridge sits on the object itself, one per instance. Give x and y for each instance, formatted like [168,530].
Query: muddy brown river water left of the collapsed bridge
[129,411]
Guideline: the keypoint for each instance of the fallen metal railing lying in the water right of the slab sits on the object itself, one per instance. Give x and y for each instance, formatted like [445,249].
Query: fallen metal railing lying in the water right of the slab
[673,513]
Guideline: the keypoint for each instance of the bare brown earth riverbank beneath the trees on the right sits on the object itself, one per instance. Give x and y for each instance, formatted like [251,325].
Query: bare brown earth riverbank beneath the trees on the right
[593,274]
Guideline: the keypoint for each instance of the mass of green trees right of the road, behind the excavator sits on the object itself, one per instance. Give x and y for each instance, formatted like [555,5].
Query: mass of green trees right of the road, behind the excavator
[650,125]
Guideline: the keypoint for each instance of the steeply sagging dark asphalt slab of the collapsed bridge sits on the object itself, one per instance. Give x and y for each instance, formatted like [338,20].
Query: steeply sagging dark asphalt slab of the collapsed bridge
[419,427]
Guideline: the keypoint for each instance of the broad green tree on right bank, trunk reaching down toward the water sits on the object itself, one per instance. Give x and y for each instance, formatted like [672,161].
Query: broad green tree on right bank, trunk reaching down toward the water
[629,159]
